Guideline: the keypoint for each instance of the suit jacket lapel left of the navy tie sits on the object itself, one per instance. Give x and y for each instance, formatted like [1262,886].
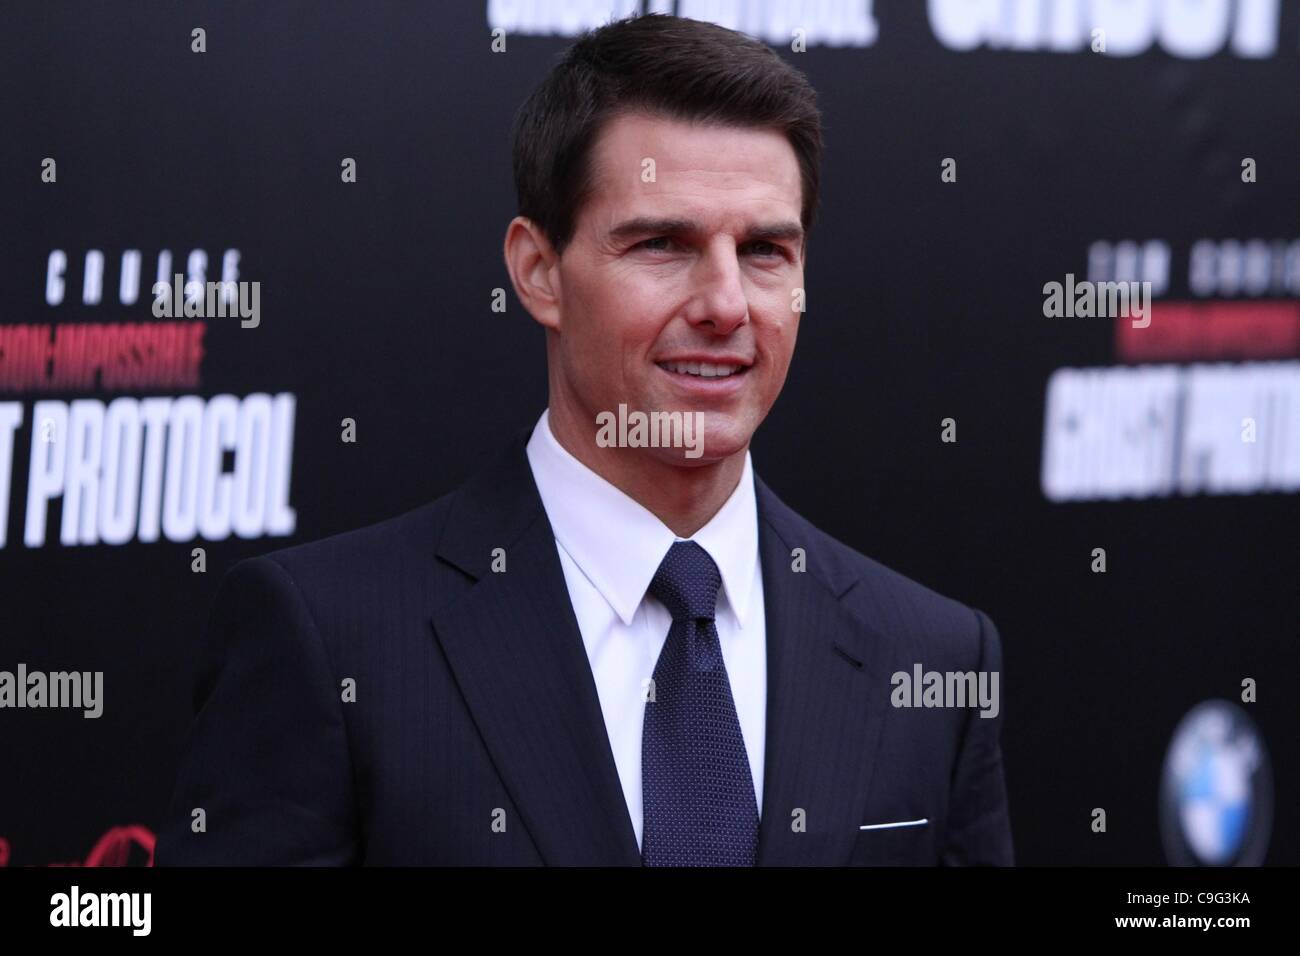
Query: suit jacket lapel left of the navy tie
[518,656]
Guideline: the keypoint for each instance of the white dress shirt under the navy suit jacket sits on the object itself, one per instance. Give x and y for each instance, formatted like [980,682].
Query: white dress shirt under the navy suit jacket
[610,548]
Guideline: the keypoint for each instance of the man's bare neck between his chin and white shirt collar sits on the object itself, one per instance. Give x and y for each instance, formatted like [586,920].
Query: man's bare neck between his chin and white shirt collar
[683,498]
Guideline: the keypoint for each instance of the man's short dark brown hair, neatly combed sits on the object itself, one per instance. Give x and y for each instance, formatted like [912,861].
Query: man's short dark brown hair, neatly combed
[686,70]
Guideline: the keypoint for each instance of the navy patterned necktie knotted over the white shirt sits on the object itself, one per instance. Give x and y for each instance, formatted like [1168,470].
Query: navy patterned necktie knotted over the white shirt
[697,789]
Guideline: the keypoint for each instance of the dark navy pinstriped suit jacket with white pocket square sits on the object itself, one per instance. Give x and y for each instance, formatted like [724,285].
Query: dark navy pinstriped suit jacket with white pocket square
[475,706]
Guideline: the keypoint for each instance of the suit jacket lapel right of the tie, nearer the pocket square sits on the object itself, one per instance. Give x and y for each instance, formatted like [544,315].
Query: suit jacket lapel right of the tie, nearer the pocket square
[827,697]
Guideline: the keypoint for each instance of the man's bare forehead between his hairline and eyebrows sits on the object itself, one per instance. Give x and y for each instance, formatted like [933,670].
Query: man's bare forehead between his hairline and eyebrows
[710,172]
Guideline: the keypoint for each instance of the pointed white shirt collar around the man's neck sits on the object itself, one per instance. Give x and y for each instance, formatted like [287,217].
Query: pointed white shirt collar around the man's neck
[618,544]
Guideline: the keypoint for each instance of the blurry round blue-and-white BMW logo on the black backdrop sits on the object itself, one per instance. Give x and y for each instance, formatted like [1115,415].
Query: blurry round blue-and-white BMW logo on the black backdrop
[1216,797]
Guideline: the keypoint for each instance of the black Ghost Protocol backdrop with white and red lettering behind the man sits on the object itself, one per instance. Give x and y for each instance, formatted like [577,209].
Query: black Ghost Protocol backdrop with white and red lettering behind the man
[1050,366]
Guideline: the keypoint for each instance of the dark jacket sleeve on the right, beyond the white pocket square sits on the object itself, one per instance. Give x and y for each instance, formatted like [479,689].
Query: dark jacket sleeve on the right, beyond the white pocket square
[980,828]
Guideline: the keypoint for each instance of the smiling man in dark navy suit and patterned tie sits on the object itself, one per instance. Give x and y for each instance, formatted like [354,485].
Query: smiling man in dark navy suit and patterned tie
[609,650]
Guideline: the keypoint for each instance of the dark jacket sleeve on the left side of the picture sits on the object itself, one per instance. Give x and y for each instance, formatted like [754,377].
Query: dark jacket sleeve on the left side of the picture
[267,760]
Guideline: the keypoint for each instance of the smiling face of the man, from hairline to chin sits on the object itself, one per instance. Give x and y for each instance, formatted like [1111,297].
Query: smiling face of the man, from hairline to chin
[691,310]
